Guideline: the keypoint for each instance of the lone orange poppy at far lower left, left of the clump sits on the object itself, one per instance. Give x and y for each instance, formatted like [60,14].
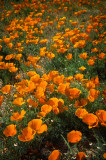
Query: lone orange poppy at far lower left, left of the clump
[10,130]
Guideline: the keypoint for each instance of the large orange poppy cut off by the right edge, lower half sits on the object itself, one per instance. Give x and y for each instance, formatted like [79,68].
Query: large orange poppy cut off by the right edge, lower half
[101,114]
